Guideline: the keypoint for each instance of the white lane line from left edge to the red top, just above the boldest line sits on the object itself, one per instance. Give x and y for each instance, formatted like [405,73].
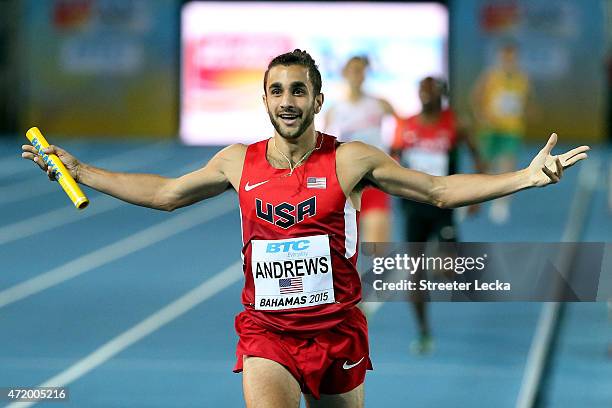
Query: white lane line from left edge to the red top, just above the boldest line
[126,246]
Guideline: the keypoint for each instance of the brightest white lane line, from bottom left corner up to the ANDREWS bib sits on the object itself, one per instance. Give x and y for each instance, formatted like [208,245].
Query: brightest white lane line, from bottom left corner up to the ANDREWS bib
[168,313]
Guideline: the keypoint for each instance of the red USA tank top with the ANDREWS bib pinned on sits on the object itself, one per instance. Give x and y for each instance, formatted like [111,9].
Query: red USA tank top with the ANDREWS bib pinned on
[299,236]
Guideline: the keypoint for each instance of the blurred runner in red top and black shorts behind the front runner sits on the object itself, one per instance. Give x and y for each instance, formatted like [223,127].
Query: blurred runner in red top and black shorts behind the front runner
[428,142]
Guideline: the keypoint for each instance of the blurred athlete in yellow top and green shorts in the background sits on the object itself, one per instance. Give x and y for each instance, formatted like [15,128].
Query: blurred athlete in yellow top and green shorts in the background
[499,103]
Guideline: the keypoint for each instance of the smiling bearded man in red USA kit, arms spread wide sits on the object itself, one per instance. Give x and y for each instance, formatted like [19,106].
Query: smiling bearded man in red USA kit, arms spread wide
[299,195]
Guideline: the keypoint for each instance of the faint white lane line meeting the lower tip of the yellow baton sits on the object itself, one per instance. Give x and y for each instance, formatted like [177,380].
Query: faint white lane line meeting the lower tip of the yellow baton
[66,214]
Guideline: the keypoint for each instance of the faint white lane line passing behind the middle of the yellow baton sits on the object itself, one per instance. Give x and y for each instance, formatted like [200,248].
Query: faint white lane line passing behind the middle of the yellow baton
[126,161]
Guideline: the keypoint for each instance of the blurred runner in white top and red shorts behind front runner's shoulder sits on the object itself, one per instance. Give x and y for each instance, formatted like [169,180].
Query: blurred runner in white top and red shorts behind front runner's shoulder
[359,117]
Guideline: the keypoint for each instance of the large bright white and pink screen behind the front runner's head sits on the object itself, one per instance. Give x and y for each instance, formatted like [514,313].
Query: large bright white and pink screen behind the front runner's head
[226,48]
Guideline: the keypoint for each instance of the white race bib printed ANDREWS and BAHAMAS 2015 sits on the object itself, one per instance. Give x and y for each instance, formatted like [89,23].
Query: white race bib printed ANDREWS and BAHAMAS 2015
[292,273]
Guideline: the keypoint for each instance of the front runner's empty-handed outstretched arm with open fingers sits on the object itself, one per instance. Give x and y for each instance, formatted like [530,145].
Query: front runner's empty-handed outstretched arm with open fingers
[462,189]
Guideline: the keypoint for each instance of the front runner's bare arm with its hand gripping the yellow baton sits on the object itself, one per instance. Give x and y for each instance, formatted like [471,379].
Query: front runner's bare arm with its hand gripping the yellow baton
[149,190]
